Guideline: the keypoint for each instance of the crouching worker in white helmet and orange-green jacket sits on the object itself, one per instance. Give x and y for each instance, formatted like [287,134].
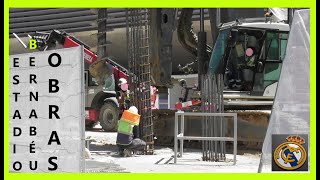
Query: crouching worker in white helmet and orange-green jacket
[127,137]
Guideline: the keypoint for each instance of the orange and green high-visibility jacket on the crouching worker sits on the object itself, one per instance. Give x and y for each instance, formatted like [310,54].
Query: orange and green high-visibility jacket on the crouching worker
[125,127]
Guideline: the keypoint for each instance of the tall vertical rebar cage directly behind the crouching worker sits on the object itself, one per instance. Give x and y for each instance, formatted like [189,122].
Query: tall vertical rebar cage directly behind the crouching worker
[138,31]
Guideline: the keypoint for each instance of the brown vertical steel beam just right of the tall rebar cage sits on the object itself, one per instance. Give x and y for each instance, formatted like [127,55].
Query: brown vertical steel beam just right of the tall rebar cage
[162,24]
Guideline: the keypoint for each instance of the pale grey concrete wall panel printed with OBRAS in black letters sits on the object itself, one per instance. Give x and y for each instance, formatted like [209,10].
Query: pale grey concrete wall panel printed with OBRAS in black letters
[27,112]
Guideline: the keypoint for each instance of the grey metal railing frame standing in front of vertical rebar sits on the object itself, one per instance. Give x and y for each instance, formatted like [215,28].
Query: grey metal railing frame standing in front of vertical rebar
[180,136]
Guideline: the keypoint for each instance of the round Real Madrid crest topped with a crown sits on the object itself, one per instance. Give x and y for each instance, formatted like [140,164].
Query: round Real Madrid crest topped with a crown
[290,155]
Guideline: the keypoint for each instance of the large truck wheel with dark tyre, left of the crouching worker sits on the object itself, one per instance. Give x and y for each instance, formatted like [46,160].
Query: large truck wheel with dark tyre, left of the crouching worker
[109,116]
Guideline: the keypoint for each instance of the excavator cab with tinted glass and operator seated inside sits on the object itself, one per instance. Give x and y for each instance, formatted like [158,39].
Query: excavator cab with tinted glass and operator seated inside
[249,55]
